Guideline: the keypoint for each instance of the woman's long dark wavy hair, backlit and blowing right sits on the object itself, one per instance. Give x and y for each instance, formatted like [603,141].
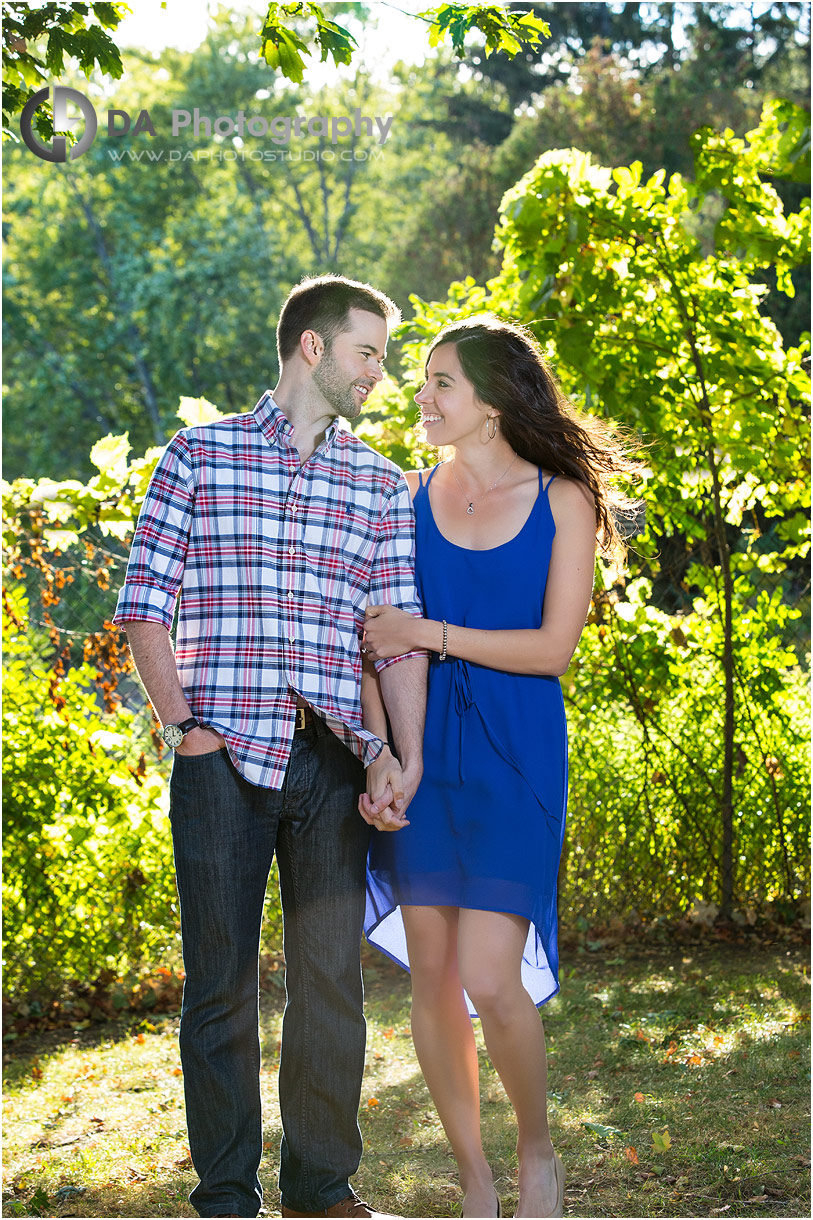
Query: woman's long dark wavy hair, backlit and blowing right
[505,364]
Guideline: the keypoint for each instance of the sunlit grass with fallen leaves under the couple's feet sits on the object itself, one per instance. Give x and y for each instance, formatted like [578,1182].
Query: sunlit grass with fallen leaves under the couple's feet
[679,1088]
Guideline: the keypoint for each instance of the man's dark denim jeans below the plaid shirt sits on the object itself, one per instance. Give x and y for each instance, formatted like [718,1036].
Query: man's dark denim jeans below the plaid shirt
[225,834]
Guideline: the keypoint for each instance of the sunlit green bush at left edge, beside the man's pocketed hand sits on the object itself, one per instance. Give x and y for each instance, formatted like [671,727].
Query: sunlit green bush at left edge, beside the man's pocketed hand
[89,863]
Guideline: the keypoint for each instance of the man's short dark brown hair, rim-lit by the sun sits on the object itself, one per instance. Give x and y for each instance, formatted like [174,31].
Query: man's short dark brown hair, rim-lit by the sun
[323,304]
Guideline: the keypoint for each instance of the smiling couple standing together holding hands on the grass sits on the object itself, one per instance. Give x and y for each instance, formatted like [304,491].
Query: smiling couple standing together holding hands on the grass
[366,684]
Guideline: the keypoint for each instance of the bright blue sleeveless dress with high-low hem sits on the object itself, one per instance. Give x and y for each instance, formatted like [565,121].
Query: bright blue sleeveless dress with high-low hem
[488,822]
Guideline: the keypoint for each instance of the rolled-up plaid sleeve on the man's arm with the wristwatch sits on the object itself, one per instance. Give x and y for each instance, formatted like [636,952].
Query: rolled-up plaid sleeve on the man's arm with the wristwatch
[161,544]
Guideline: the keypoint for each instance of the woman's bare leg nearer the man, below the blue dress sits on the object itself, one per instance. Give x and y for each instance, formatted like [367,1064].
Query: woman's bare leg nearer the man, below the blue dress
[446,1049]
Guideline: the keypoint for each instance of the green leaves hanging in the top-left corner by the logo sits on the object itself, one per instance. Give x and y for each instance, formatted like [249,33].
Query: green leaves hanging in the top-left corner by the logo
[68,32]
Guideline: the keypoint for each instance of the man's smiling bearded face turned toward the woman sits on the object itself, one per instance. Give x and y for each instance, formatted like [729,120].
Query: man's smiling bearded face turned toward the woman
[352,364]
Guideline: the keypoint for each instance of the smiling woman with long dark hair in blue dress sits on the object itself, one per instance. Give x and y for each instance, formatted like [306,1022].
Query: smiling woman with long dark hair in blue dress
[466,894]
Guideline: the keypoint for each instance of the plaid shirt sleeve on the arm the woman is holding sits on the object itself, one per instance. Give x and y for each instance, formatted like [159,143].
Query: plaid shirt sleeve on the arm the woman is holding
[394,570]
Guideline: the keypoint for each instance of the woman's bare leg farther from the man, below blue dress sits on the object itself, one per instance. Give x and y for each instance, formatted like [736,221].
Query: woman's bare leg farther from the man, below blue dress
[490,955]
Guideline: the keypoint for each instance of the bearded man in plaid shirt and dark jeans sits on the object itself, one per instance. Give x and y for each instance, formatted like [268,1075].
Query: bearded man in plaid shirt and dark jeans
[278,526]
